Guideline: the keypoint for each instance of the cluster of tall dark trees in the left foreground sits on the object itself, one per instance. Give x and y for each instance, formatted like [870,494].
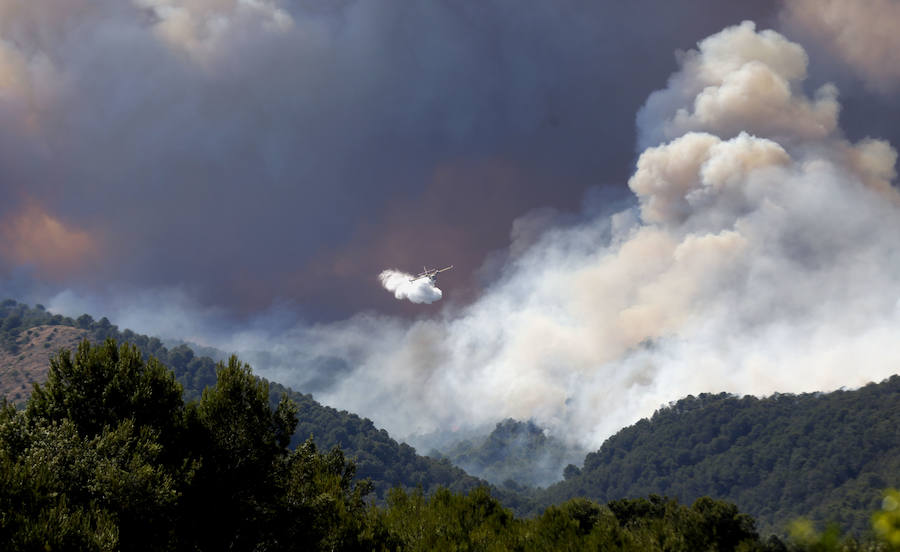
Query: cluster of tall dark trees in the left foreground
[107,456]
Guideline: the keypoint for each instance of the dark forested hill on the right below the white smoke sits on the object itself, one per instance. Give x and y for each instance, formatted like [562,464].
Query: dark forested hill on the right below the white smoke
[826,456]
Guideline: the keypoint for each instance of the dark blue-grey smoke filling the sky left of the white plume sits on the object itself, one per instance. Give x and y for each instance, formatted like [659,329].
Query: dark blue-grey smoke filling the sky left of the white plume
[265,152]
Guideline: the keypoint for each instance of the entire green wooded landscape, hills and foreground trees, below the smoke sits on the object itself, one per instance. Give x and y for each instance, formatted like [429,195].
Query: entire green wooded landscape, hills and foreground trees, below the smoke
[130,436]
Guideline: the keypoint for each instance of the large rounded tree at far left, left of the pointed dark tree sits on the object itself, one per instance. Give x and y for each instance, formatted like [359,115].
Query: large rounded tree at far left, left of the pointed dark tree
[100,437]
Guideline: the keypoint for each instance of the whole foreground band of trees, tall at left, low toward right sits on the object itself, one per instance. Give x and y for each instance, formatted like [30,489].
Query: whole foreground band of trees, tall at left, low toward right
[108,456]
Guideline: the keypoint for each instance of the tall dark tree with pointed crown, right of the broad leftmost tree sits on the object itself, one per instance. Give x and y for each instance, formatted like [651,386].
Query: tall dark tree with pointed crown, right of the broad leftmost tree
[243,444]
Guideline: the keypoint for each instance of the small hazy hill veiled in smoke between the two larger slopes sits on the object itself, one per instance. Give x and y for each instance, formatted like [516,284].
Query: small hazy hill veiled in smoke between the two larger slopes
[514,453]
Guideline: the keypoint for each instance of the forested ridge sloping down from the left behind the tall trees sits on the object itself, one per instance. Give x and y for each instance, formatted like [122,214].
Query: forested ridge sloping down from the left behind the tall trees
[380,458]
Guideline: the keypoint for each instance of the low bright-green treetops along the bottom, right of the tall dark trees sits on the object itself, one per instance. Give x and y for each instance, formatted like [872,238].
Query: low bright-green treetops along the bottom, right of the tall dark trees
[448,521]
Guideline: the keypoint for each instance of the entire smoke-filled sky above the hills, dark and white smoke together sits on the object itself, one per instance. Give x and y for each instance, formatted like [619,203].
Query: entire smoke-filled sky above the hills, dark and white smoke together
[641,200]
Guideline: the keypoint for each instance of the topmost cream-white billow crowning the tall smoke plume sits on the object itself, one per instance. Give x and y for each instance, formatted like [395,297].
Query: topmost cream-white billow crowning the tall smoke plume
[740,81]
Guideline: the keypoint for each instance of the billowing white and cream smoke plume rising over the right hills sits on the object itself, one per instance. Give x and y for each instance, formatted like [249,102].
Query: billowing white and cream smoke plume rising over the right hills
[762,255]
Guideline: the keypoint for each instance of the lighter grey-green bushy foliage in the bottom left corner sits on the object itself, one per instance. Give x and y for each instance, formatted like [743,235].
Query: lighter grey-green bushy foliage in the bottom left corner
[62,490]
